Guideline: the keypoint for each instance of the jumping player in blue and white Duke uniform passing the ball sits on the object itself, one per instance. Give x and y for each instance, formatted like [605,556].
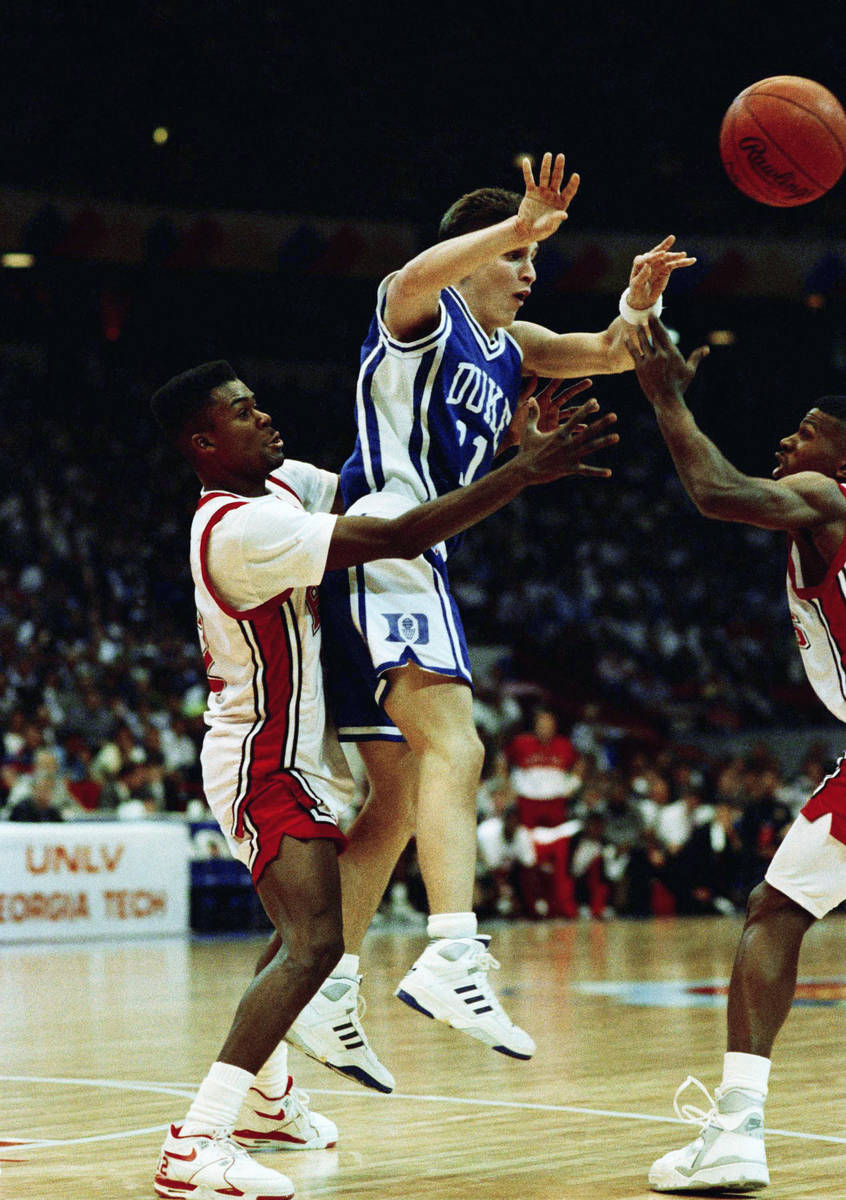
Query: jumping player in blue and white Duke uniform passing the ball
[437,399]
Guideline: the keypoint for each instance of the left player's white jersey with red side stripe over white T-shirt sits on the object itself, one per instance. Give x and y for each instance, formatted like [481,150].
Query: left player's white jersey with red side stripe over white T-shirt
[256,565]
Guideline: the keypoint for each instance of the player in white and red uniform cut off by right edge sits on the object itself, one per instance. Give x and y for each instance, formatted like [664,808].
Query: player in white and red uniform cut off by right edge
[807,878]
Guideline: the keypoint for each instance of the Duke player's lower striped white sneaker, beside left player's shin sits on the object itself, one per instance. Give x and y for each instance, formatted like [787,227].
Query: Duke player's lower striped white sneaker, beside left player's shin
[329,1030]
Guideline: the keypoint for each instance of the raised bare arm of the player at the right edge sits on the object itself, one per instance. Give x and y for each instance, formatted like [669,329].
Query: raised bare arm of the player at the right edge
[717,488]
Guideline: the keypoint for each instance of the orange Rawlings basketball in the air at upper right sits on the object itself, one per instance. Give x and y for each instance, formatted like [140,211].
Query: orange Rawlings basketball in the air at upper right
[783,141]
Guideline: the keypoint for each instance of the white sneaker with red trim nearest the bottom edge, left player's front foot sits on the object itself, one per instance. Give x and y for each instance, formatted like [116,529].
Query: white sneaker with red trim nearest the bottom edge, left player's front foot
[209,1166]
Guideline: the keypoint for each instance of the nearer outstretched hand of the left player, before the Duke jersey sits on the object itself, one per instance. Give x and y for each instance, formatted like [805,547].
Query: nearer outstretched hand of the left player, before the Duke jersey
[548,457]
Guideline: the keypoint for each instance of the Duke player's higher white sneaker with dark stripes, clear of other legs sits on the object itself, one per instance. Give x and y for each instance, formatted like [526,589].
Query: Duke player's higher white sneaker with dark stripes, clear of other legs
[449,982]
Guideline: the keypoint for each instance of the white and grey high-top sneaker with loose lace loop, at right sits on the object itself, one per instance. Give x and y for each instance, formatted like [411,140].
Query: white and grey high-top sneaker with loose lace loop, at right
[729,1154]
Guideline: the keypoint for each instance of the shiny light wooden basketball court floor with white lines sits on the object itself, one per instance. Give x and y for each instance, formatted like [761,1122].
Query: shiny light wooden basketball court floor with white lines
[103,1045]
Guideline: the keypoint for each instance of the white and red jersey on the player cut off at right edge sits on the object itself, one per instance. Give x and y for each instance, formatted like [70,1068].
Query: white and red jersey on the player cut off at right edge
[819,616]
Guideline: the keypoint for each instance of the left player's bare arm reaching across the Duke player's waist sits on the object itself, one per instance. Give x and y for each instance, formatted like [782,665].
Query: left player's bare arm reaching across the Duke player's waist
[542,458]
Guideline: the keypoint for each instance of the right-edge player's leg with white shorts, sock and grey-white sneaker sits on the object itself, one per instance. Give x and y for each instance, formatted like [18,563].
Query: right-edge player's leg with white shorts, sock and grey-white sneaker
[806,880]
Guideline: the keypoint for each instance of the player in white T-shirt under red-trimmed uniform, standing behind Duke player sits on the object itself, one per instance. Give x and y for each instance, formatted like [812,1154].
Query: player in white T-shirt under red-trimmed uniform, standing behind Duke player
[272,775]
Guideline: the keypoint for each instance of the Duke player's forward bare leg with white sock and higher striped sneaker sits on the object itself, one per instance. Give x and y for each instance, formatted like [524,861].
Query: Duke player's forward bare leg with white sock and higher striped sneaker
[449,981]
